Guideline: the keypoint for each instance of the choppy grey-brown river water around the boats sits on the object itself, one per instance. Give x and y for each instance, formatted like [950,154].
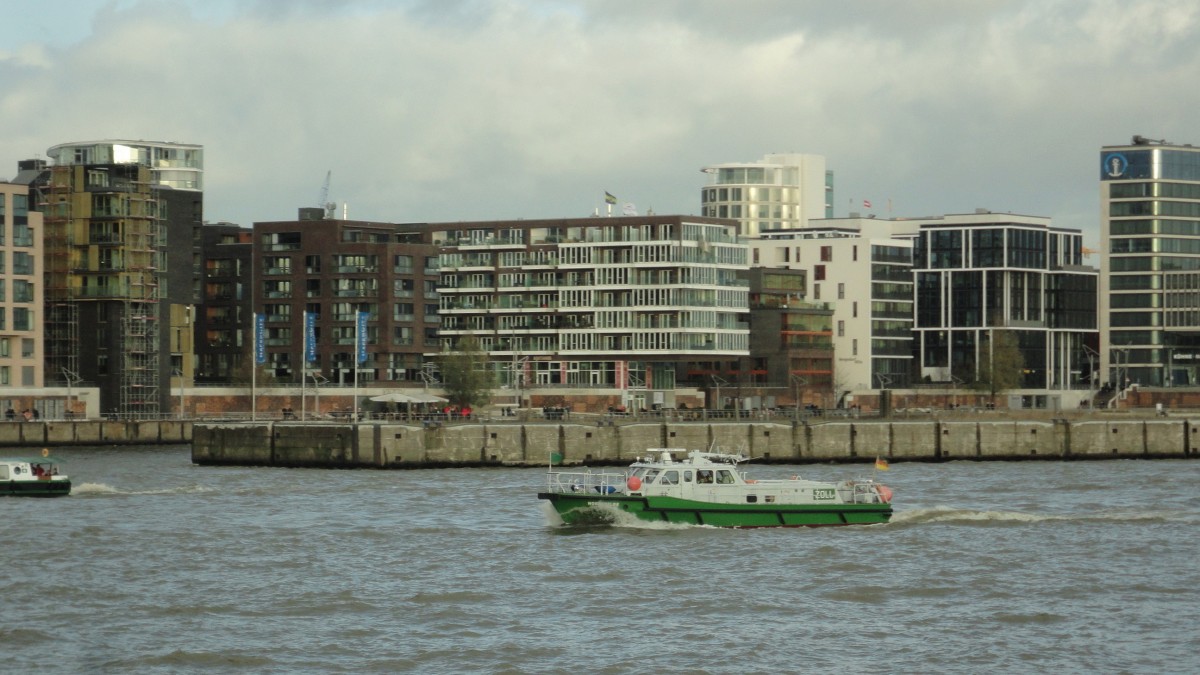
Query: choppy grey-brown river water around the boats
[154,565]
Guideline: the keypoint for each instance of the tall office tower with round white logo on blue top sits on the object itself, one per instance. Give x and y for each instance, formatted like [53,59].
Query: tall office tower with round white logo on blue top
[1150,268]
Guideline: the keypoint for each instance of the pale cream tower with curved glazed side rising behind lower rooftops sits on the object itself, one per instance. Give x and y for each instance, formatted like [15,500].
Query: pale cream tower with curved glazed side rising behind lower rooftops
[782,192]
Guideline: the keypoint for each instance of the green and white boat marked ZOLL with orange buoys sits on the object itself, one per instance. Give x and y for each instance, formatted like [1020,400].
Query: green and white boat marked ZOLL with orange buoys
[706,488]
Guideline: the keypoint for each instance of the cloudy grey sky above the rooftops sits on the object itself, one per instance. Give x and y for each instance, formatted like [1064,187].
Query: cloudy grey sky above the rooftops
[472,110]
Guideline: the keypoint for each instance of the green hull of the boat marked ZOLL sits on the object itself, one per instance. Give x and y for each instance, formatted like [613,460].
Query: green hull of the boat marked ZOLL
[585,510]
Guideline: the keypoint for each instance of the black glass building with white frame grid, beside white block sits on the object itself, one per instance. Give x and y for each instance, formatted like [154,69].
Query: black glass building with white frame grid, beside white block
[982,273]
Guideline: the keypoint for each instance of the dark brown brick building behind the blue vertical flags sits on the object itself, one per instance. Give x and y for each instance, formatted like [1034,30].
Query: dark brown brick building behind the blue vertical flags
[314,277]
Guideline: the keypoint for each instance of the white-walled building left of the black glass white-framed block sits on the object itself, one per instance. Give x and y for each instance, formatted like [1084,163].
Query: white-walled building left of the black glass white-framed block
[865,272]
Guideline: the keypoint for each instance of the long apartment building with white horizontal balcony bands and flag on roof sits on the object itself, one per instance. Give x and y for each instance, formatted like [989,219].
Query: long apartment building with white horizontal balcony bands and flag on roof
[627,303]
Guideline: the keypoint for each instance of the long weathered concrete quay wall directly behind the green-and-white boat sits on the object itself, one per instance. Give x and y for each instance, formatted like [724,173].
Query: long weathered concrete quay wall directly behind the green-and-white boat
[515,444]
